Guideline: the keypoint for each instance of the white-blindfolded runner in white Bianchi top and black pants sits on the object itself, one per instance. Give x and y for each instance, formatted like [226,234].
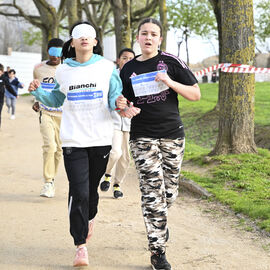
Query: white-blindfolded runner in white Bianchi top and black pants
[88,86]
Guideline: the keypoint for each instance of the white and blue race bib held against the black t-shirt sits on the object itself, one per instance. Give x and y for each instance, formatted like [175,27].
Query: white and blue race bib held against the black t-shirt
[145,84]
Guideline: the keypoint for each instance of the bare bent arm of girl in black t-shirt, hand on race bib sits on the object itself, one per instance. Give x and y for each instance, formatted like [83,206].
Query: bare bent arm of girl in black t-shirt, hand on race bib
[189,92]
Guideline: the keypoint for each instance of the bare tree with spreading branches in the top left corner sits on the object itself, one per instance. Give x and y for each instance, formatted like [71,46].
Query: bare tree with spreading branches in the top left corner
[48,20]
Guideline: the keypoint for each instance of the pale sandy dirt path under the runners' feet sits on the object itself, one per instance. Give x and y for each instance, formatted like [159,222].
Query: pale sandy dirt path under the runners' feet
[34,231]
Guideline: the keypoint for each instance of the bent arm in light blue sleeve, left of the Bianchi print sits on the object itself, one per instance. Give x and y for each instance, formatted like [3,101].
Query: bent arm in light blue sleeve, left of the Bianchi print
[53,99]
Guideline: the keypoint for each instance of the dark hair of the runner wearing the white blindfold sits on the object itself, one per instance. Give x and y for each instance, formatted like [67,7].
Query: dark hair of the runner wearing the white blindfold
[69,52]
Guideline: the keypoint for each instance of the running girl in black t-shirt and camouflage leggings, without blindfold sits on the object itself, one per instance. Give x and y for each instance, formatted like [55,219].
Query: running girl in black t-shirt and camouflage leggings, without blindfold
[152,82]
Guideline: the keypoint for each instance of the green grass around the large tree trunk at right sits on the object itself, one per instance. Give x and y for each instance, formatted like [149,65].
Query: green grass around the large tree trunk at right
[239,181]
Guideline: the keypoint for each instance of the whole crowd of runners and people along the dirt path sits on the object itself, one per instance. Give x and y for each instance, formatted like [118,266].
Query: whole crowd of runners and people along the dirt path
[97,117]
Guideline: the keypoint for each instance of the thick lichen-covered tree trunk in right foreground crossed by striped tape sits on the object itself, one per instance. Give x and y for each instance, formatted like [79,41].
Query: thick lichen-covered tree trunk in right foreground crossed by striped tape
[236,92]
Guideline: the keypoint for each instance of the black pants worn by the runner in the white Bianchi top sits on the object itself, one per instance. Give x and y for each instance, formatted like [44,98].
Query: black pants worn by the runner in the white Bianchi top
[84,168]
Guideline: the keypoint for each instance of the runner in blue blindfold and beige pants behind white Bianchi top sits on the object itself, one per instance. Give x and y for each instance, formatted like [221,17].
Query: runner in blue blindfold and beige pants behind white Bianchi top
[49,117]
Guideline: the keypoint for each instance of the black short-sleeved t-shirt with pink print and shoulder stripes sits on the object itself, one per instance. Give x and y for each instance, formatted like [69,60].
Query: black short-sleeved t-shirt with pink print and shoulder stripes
[159,116]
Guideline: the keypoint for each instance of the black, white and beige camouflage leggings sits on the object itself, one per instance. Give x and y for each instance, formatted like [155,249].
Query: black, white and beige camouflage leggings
[158,163]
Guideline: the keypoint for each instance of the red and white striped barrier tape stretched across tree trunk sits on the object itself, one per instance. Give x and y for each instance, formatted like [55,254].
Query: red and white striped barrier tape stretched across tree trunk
[232,68]
